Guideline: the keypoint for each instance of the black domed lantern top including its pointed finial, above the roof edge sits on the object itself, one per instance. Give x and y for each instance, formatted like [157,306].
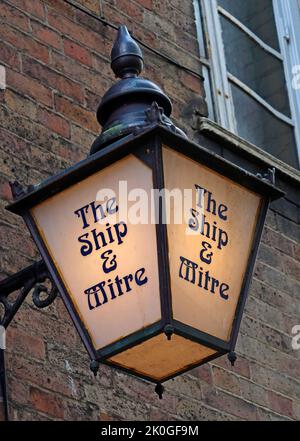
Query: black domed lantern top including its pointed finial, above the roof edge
[123,107]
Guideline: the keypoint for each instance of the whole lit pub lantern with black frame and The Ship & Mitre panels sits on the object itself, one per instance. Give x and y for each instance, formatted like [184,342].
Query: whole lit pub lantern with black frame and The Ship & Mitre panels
[151,241]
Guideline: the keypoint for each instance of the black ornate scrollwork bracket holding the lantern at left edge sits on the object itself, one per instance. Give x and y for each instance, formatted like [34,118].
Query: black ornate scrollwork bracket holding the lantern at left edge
[24,281]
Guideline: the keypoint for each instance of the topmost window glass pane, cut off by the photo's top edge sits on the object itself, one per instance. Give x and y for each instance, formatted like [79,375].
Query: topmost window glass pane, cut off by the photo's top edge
[257,15]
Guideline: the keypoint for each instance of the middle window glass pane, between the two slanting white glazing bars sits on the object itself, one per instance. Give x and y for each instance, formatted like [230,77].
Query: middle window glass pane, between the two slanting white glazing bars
[259,70]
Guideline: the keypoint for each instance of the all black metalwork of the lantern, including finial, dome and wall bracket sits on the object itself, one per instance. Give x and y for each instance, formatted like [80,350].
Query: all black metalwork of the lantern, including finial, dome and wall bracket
[131,125]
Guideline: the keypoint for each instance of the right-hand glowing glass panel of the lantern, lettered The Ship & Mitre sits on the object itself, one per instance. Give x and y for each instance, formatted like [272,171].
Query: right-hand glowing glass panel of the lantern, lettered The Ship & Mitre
[209,250]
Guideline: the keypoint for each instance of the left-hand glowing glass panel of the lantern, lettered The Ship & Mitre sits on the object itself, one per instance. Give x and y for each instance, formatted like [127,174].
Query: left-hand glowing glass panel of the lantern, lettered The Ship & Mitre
[108,263]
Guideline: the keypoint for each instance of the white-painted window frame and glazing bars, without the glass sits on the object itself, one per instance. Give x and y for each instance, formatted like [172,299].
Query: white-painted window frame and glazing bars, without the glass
[287,18]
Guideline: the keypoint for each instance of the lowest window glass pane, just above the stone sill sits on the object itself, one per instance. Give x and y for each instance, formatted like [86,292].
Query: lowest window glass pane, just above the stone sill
[260,127]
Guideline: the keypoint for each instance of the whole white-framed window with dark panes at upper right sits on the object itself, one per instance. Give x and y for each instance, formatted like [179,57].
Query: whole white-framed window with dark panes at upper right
[250,51]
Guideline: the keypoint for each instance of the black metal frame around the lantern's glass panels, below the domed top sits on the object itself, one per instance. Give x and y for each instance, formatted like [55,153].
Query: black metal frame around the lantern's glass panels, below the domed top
[147,146]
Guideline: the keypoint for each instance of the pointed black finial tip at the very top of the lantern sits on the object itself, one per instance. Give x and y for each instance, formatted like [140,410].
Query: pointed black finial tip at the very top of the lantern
[126,55]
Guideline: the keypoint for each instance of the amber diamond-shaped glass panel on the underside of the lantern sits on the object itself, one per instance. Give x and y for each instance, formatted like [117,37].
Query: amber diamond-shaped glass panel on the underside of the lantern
[159,358]
